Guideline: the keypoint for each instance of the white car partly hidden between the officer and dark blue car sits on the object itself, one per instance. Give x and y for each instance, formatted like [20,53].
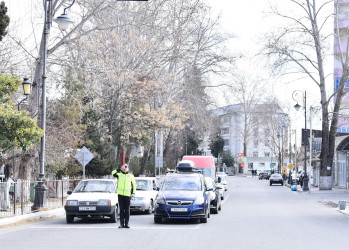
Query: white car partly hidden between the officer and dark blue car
[147,189]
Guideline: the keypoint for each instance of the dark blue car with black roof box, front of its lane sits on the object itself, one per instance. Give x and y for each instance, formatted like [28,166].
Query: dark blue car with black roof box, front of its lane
[183,195]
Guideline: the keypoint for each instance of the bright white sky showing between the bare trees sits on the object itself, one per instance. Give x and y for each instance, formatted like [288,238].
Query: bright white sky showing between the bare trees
[247,20]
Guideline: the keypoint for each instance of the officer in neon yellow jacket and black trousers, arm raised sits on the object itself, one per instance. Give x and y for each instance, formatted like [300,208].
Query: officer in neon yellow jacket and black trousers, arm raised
[126,191]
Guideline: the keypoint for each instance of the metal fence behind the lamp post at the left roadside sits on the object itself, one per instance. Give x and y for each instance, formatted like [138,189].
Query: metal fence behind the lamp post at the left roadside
[17,198]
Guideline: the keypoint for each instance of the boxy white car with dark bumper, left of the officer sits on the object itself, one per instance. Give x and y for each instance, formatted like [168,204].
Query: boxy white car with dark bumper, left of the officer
[93,198]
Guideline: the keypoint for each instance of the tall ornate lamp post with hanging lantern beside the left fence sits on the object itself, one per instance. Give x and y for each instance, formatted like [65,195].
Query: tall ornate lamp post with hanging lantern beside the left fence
[63,22]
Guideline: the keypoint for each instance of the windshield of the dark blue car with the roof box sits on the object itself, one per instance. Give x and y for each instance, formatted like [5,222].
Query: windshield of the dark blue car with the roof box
[190,183]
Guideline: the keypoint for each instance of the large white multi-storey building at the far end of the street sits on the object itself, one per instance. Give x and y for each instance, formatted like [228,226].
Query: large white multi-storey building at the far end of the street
[264,129]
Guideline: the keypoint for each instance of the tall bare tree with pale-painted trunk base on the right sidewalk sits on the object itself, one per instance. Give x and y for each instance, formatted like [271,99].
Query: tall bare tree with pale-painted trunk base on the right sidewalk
[300,47]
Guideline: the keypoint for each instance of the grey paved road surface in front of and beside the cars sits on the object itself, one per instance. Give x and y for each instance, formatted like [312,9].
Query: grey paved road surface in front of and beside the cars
[254,216]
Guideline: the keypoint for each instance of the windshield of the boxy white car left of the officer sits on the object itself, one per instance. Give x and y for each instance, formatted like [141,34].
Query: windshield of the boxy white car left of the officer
[95,186]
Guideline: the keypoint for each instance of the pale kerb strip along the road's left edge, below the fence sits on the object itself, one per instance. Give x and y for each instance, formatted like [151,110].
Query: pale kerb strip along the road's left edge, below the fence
[32,216]
